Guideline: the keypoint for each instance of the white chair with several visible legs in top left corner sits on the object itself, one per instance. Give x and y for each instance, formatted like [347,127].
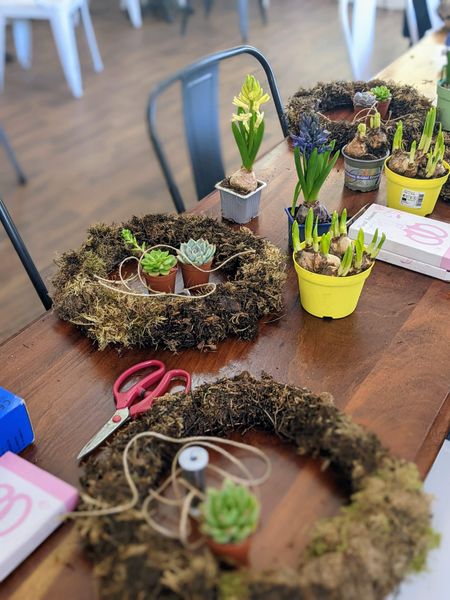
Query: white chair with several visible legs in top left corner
[62,16]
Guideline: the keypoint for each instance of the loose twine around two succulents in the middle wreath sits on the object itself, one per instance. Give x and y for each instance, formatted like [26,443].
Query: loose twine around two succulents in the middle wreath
[110,283]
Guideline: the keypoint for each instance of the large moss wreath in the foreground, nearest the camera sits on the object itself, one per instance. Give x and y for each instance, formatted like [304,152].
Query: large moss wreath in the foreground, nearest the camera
[362,553]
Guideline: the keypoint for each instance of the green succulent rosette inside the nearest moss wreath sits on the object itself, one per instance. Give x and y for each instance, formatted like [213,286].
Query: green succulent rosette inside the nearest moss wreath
[229,514]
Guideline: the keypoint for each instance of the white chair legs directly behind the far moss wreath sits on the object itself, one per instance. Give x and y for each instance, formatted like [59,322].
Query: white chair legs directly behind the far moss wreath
[359,37]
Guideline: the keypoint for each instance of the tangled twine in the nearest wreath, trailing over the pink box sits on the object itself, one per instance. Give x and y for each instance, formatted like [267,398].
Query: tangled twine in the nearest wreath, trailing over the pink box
[182,503]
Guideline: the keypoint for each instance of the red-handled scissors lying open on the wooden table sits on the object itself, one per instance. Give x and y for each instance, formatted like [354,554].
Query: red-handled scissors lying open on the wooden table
[137,399]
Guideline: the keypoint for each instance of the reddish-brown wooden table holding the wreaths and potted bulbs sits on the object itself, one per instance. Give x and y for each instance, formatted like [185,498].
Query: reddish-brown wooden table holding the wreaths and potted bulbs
[388,365]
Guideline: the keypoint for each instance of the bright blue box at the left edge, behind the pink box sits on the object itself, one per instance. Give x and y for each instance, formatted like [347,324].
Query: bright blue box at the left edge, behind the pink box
[16,432]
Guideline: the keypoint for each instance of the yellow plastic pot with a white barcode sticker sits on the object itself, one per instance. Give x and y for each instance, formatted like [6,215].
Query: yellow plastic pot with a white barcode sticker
[417,196]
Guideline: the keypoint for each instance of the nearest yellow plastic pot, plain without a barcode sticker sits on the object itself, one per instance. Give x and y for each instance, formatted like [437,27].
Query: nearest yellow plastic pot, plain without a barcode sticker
[325,296]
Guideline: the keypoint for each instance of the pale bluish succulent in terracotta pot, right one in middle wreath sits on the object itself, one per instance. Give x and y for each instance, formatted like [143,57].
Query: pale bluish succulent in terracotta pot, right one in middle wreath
[195,258]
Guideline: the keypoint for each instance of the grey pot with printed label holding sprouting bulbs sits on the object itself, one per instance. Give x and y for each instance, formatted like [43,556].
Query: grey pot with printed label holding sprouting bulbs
[365,155]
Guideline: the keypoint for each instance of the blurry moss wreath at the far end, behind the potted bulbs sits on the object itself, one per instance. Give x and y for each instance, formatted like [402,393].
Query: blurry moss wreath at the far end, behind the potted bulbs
[407,104]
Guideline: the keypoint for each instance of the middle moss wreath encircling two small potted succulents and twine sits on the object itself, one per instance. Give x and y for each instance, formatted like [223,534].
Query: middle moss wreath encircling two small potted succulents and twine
[253,289]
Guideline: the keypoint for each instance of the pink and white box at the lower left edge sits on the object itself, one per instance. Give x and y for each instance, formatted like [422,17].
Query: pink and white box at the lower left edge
[31,504]
